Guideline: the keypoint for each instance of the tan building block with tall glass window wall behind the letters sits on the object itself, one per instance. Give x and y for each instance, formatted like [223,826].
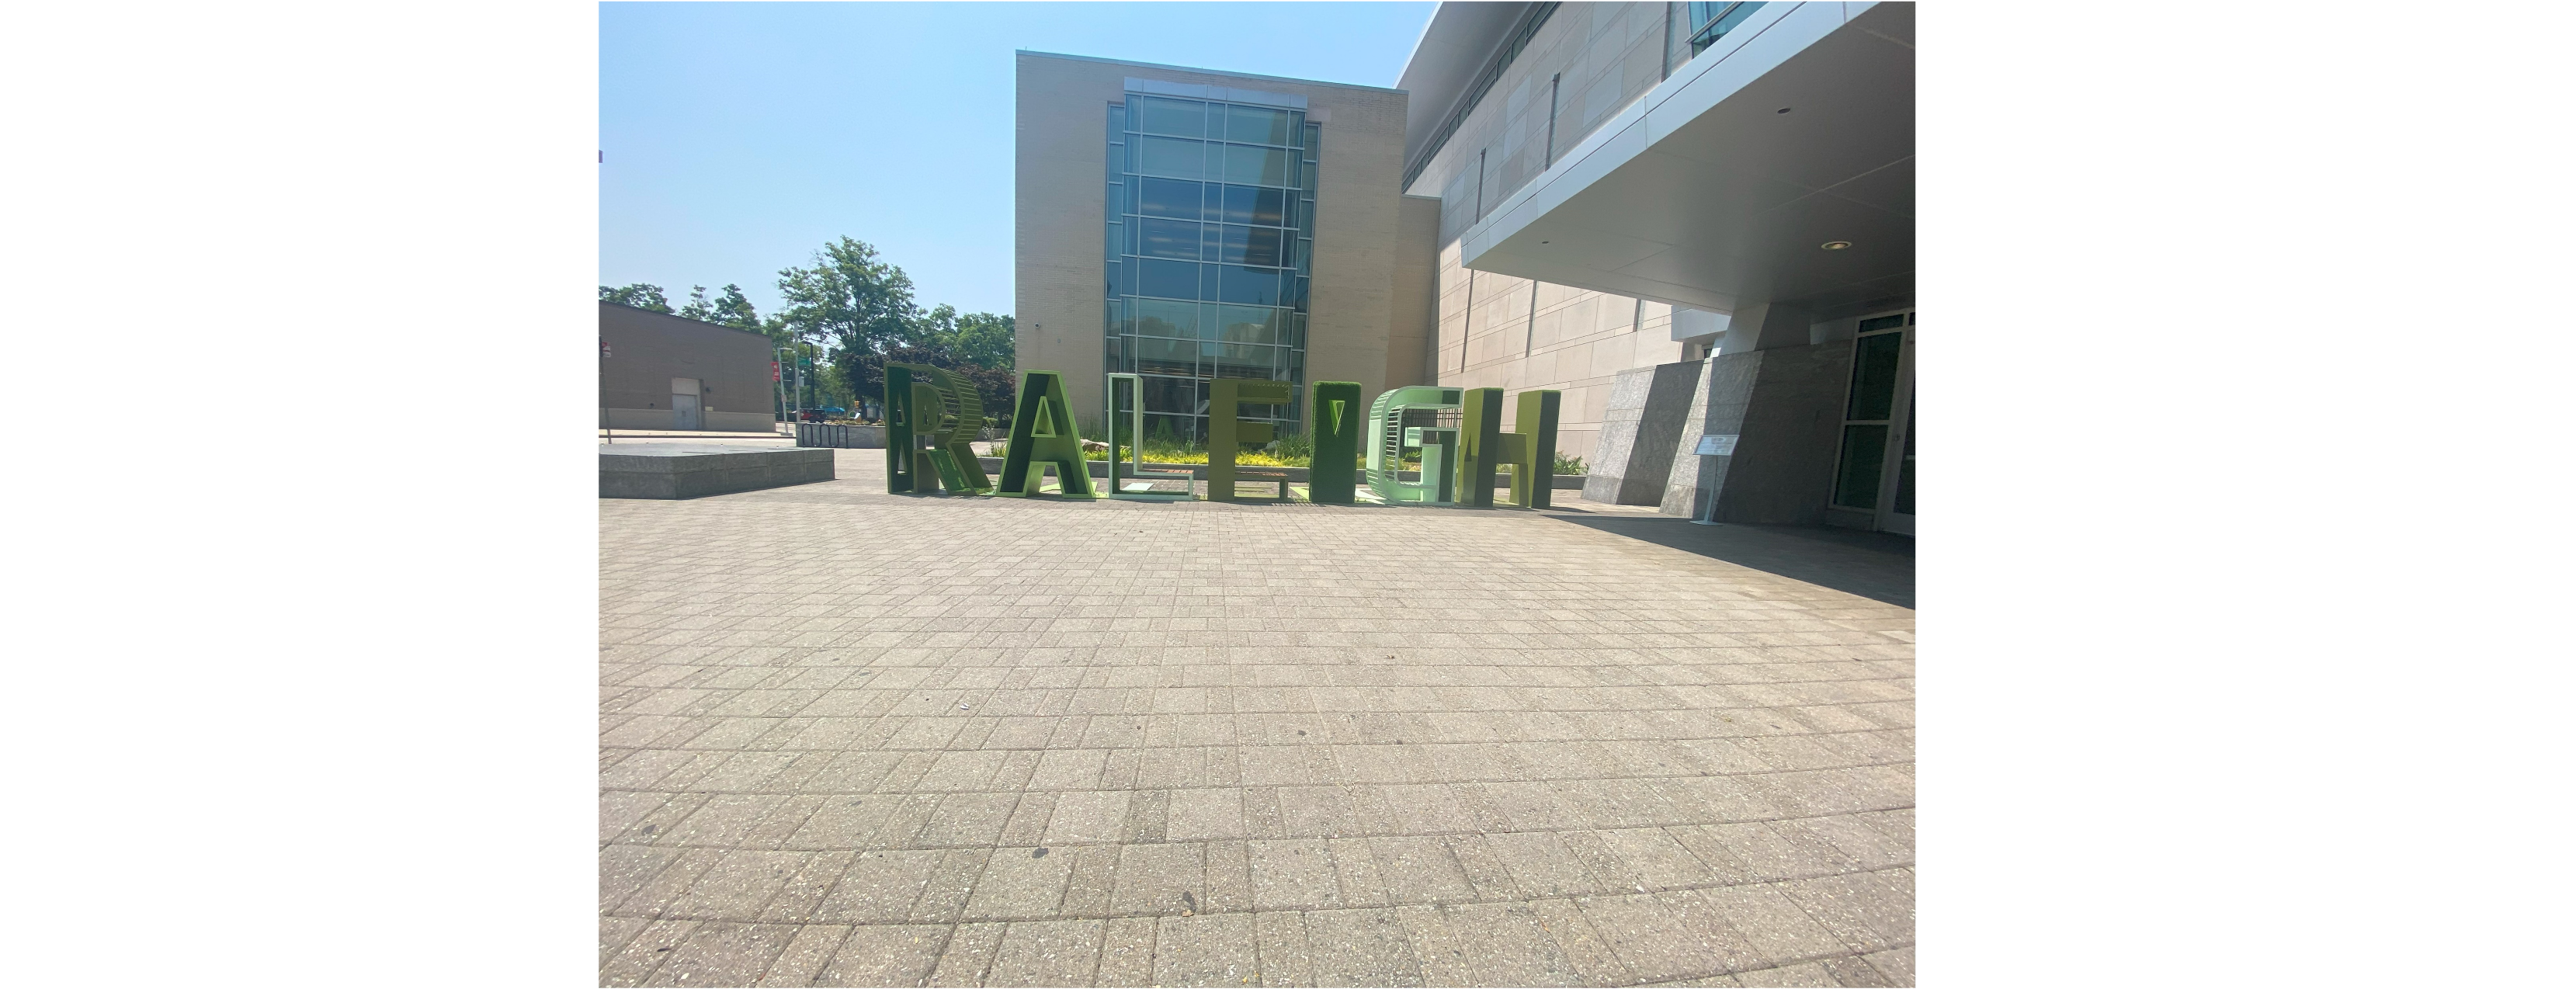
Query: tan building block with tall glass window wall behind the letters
[1258,233]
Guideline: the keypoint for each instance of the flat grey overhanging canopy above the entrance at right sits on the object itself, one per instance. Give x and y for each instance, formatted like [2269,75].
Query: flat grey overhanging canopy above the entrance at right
[1704,194]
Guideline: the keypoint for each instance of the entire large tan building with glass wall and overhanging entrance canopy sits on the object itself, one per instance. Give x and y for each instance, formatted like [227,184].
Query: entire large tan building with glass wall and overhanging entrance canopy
[1696,220]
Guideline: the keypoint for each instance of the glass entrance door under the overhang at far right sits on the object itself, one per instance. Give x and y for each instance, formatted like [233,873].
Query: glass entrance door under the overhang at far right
[1877,465]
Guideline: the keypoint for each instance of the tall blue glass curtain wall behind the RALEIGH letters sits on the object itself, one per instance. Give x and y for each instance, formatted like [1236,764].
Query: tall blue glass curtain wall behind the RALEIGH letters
[1209,254]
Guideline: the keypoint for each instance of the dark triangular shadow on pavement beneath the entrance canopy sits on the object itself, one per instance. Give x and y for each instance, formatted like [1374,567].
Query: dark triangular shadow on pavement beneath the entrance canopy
[1869,565]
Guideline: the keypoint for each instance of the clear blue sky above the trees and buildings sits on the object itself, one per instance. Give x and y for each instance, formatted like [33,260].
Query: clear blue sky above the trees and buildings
[743,138]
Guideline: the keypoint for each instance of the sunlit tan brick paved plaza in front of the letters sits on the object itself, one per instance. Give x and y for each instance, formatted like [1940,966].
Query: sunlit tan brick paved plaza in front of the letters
[875,740]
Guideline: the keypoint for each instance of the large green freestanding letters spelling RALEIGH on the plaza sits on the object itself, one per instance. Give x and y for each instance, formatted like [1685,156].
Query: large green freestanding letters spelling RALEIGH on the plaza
[1457,434]
